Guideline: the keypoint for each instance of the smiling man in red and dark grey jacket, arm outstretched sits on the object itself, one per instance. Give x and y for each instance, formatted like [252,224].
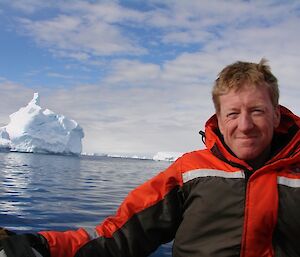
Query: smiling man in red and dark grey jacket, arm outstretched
[238,197]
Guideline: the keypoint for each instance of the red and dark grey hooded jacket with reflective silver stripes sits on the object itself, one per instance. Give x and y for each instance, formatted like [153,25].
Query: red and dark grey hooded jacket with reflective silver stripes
[209,202]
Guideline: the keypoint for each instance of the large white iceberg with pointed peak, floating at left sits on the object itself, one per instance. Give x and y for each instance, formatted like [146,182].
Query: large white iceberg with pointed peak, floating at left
[37,130]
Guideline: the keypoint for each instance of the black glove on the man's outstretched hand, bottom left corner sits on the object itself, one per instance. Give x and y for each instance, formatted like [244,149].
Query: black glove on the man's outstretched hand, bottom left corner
[25,245]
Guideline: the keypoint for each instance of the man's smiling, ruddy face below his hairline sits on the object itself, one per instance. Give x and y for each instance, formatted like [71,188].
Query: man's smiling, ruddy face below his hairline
[247,120]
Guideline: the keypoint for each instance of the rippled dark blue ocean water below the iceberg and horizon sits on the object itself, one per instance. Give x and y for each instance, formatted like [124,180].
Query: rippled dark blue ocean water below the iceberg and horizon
[53,192]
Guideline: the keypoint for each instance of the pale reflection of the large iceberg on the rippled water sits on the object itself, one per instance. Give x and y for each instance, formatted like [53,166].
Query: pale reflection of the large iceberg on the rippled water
[32,185]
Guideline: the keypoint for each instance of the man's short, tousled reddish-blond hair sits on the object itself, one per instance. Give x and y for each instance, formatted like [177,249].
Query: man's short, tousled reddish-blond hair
[235,76]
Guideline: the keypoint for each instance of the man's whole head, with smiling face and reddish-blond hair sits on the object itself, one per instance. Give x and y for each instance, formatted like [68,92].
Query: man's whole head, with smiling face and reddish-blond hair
[247,111]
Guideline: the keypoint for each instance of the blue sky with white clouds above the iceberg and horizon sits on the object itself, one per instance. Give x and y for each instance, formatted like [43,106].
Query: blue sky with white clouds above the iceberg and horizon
[137,75]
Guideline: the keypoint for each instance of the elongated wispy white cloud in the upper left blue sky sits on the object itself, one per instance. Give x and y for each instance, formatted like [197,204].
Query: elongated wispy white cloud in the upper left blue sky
[79,38]
